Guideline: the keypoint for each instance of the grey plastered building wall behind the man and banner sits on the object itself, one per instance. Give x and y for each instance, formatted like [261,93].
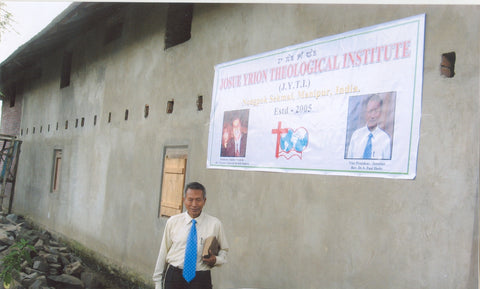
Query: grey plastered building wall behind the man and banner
[285,230]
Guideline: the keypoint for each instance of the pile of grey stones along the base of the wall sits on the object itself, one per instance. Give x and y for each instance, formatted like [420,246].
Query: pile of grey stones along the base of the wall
[53,263]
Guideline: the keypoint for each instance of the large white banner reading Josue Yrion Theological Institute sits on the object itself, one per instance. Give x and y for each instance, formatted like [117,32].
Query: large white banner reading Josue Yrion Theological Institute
[348,104]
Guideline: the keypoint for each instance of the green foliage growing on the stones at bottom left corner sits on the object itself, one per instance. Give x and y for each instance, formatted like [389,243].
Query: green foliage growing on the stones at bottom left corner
[12,262]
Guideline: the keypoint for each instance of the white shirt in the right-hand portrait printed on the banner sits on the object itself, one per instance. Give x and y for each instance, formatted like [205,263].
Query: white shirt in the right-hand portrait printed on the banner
[380,144]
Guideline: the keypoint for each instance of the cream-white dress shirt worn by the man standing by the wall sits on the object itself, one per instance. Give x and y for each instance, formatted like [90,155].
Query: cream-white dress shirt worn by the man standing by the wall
[174,241]
